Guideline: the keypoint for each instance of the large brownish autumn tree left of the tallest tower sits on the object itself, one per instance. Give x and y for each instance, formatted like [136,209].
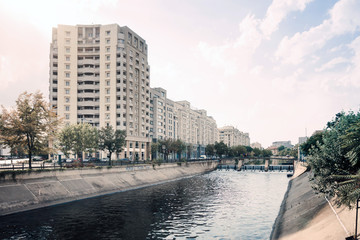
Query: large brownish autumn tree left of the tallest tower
[29,125]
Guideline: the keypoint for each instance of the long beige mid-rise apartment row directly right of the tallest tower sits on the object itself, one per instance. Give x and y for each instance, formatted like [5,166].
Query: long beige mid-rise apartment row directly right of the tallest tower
[177,120]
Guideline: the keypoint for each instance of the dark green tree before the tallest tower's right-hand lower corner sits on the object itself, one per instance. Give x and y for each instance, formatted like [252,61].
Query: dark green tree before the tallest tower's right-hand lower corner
[111,140]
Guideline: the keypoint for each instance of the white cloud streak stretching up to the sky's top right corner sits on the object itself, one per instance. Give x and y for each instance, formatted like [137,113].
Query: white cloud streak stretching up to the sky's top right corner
[344,18]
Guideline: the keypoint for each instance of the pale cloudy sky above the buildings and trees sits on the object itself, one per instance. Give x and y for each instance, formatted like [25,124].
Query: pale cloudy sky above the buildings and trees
[277,69]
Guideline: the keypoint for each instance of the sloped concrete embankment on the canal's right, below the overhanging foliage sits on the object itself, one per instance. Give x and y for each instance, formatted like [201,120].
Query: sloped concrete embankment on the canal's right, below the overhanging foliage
[306,215]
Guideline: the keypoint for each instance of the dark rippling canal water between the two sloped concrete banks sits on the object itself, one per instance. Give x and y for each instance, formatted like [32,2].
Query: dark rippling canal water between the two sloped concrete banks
[216,205]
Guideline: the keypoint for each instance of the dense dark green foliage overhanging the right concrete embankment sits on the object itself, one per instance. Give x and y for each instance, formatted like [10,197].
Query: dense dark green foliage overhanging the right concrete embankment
[334,159]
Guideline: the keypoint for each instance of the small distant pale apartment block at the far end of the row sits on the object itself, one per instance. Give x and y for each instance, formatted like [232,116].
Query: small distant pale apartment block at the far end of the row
[231,136]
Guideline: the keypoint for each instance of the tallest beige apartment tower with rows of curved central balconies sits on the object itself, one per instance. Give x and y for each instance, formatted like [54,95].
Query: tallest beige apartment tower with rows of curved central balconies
[99,74]
